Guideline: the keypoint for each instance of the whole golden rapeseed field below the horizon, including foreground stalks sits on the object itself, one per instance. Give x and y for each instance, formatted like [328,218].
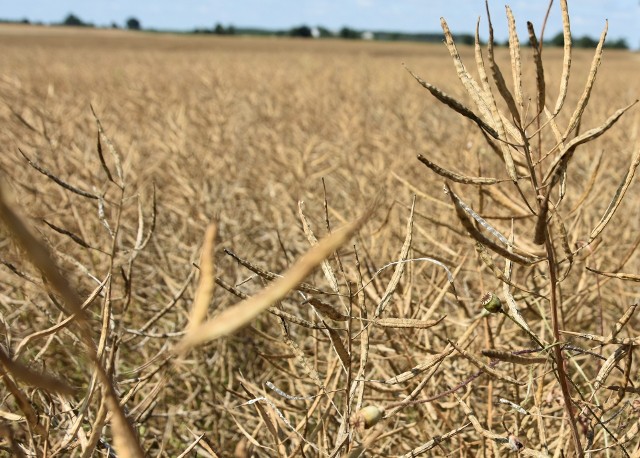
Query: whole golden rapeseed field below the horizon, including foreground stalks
[142,307]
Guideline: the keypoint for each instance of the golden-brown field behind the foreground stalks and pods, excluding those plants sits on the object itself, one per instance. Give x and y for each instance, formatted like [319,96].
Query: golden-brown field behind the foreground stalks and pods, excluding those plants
[238,131]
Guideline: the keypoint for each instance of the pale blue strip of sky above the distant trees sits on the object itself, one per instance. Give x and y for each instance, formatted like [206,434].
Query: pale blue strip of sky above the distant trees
[401,15]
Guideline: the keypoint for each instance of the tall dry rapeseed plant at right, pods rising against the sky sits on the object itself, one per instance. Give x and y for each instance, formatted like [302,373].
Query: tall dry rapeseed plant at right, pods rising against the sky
[538,167]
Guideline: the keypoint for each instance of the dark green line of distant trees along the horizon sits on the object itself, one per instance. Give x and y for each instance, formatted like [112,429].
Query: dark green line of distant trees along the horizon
[306,31]
